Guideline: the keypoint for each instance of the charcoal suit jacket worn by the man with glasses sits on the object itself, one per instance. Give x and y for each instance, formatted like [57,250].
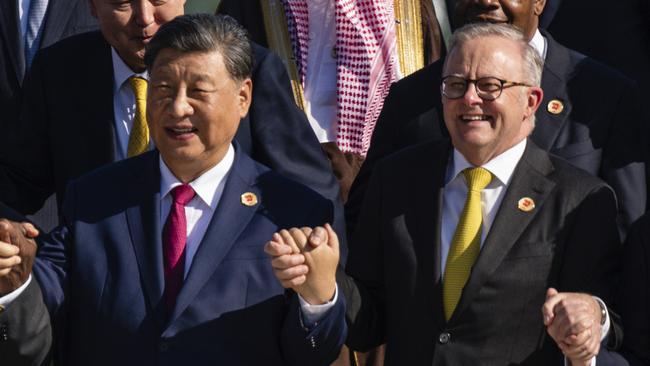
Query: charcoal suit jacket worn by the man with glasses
[569,241]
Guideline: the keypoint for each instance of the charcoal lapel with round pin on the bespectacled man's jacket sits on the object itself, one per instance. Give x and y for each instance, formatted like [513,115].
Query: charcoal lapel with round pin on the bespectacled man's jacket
[528,180]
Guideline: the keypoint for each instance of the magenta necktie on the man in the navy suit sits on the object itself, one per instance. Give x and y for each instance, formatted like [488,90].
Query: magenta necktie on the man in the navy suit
[174,240]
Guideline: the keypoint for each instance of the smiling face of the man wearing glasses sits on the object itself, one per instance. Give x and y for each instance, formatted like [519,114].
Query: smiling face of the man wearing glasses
[481,130]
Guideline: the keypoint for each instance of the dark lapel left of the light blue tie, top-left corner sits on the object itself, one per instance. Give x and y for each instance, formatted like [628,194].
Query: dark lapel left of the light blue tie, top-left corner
[10,31]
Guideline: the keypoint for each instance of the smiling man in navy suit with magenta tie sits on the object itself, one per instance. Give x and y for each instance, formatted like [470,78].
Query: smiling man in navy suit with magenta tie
[134,285]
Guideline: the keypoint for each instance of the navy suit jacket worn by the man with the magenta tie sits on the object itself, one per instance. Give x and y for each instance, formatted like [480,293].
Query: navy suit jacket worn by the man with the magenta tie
[101,273]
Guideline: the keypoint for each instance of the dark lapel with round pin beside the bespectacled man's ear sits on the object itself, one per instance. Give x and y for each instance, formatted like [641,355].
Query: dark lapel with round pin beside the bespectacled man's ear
[549,124]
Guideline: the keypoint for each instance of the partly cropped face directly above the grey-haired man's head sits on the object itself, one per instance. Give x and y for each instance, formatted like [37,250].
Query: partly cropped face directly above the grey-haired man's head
[523,14]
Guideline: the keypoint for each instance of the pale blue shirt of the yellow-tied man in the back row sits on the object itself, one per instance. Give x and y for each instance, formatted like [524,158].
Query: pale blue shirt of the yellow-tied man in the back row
[123,104]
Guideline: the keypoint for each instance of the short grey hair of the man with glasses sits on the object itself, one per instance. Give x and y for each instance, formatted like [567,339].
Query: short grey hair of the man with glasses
[533,63]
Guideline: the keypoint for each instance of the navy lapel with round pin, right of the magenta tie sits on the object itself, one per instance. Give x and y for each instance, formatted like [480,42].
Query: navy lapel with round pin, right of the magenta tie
[229,220]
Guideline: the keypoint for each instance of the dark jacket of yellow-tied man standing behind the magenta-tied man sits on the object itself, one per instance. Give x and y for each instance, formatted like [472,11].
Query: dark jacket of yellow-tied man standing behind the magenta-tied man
[67,128]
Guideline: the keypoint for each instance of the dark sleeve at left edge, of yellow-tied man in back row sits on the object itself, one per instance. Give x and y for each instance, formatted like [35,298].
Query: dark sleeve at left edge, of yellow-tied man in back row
[26,178]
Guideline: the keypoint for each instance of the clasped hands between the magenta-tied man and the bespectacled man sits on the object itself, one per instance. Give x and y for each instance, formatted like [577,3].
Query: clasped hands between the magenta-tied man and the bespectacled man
[306,260]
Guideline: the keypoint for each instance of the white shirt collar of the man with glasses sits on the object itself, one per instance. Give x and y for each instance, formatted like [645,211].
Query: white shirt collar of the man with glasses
[502,166]
